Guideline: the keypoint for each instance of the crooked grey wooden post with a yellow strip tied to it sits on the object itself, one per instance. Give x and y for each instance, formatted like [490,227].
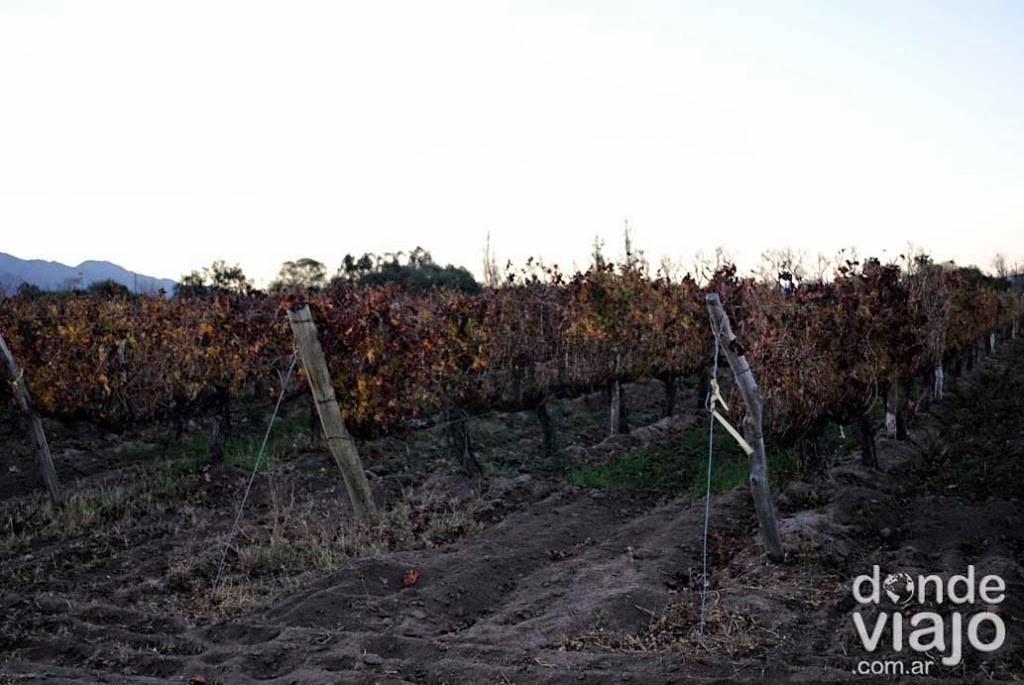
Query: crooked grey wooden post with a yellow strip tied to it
[752,429]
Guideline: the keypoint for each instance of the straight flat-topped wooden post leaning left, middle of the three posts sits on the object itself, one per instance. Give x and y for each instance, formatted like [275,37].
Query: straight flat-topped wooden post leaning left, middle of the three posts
[338,439]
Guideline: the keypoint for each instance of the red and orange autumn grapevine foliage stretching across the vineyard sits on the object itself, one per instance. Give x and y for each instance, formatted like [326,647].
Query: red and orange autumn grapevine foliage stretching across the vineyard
[821,351]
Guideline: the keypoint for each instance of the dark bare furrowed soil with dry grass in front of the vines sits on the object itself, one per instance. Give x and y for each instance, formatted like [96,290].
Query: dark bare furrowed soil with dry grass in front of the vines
[520,579]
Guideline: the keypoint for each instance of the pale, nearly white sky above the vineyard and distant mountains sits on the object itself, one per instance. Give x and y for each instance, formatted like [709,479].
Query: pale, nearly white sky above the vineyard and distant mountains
[165,136]
